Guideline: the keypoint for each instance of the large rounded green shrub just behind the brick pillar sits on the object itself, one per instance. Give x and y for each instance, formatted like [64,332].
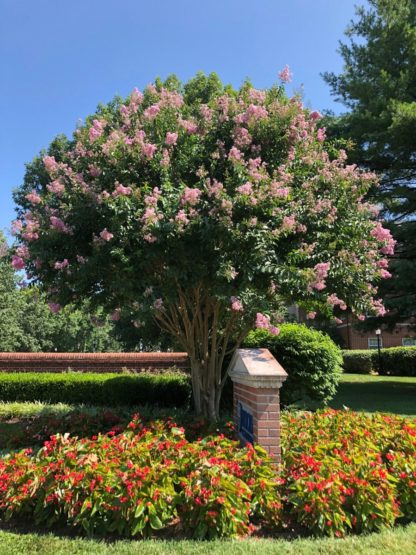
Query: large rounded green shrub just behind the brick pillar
[311,359]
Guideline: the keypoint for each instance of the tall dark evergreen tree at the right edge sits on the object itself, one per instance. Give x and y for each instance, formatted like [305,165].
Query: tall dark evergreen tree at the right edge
[378,86]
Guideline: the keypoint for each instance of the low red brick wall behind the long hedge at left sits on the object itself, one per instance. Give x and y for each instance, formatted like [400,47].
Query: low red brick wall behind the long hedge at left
[90,362]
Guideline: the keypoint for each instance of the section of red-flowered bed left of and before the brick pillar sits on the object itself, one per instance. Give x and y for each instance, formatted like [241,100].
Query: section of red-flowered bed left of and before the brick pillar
[142,480]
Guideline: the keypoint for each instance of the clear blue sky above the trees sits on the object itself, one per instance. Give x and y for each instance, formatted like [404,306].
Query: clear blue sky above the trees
[59,59]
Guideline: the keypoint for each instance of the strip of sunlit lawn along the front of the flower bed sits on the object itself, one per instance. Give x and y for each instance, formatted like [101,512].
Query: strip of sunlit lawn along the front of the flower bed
[400,541]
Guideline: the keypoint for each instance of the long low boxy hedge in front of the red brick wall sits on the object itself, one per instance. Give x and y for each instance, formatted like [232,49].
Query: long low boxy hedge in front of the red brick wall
[169,389]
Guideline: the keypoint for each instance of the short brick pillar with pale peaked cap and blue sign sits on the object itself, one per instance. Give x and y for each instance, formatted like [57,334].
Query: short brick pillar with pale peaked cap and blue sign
[257,378]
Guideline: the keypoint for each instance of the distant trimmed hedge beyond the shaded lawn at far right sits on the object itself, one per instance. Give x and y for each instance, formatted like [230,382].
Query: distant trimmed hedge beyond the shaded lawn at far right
[395,361]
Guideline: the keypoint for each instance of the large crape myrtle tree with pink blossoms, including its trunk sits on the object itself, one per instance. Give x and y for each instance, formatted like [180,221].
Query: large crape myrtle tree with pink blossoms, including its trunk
[205,209]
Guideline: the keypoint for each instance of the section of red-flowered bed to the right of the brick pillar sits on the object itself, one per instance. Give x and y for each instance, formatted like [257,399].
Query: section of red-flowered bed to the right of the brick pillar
[348,471]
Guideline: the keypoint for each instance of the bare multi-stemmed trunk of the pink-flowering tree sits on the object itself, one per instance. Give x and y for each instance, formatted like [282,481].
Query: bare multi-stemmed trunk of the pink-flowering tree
[210,333]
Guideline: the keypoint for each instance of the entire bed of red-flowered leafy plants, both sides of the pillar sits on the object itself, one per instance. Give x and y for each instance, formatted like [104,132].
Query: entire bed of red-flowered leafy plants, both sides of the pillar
[341,472]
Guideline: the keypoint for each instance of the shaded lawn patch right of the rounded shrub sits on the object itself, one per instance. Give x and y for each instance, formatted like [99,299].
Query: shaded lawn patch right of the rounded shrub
[362,392]
